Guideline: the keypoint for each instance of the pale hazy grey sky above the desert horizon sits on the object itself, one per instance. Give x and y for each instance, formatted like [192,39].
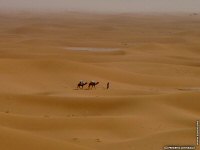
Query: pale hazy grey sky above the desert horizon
[103,5]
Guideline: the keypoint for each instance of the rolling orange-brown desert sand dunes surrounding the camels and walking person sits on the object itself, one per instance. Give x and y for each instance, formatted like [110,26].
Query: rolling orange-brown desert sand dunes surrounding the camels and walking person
[152,62]
